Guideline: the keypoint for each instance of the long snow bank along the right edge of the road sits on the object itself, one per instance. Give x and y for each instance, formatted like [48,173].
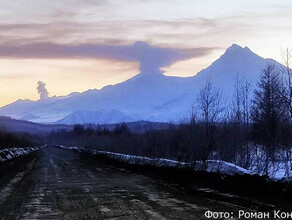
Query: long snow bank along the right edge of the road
[280,169]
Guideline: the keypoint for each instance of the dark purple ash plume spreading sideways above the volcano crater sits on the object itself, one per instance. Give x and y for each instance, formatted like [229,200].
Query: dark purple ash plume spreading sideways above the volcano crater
[150,58]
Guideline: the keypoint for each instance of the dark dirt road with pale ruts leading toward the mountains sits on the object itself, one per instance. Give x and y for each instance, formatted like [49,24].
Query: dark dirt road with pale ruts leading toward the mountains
[61,184]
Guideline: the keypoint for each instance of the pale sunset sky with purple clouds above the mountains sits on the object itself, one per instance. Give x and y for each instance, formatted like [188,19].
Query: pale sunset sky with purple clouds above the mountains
[76,45]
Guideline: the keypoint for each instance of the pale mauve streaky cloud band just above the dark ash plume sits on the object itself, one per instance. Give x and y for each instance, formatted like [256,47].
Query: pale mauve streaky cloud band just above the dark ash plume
[98,31]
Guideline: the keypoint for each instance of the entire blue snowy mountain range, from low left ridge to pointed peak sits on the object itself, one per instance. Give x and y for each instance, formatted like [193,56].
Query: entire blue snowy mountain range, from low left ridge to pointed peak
[147,96]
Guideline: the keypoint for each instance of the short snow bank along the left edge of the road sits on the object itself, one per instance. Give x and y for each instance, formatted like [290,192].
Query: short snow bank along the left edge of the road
[11,153]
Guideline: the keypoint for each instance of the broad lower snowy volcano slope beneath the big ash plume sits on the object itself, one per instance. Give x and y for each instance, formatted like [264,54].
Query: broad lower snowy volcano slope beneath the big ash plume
[137,98]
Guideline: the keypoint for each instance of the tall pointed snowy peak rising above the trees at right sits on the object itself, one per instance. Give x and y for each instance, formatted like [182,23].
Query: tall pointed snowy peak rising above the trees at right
[236,61]
